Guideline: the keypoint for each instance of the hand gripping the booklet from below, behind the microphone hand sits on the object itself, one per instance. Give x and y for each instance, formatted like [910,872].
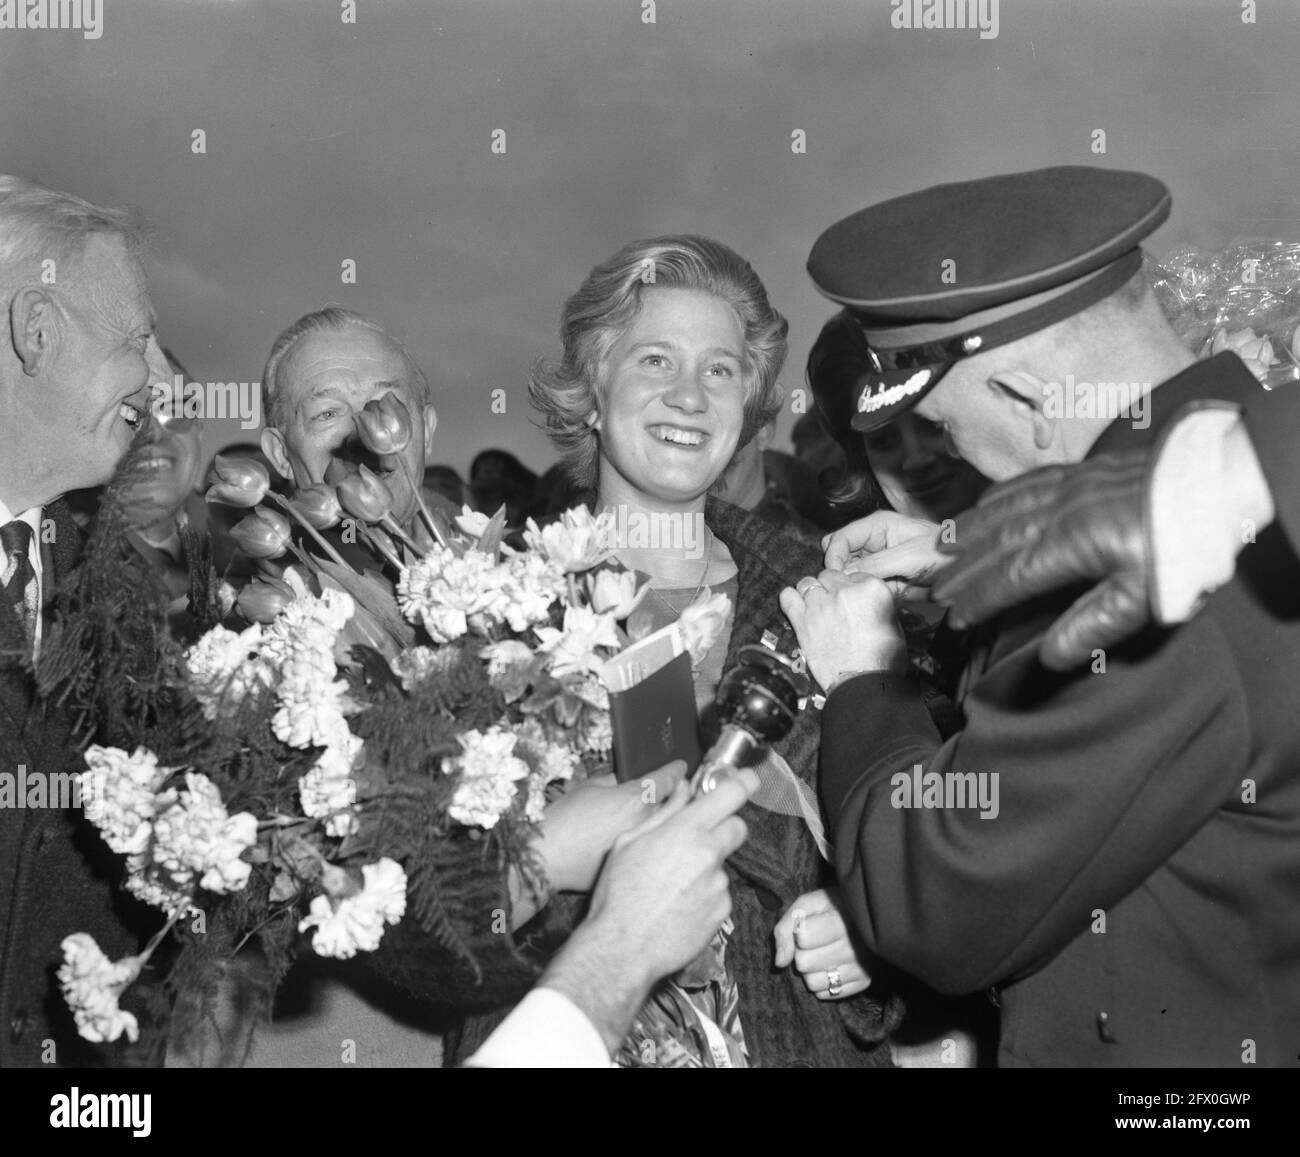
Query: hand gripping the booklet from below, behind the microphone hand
[579,829]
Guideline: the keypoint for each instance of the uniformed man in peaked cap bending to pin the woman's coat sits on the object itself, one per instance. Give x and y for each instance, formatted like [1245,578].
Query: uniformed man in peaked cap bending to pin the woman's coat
[1133,895]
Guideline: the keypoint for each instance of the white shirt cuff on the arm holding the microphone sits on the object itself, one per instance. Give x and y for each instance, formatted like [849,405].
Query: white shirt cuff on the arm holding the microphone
[547,1030]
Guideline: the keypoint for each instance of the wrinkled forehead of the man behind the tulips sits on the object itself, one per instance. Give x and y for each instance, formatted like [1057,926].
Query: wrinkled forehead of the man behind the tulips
[348,362]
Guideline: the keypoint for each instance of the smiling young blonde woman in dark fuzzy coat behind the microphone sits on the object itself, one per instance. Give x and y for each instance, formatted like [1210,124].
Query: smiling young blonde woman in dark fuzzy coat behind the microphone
[671,352]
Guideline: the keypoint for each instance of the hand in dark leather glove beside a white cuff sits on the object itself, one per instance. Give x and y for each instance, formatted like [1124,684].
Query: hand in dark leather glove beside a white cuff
[1051,528]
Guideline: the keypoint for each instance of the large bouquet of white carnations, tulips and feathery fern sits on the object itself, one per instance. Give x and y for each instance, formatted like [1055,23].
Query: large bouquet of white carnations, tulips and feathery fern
[293,773]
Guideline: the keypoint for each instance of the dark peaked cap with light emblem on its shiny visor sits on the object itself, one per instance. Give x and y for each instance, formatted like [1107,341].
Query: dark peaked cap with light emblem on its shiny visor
[944,274]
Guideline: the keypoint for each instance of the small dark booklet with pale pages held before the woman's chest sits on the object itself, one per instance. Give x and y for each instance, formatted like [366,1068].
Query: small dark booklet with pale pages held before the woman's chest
[653,705]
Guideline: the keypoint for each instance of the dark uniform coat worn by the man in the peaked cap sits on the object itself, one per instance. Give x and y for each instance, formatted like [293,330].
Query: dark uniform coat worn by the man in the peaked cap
[1137,899]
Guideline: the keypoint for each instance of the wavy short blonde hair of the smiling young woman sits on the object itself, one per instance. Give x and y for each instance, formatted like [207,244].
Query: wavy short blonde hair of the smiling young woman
[566,391]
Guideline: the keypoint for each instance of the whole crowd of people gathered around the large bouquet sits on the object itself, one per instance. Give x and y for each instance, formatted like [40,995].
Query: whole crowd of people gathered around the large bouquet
[1110,894]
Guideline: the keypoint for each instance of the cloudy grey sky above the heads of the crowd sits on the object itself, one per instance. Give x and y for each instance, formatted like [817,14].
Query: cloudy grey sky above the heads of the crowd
[372,142]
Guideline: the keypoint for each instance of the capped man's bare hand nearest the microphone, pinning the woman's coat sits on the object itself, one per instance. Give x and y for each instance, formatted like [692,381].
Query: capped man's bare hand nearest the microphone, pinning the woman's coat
[846,626]
